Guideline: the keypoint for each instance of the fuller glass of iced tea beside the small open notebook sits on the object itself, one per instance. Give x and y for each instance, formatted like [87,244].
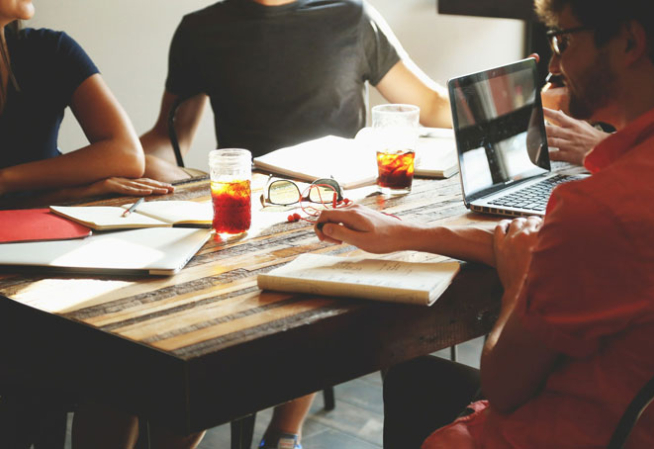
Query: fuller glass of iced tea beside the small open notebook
[231,172]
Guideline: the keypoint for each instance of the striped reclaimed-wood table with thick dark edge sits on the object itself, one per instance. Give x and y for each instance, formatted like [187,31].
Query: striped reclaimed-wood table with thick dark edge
[206,346]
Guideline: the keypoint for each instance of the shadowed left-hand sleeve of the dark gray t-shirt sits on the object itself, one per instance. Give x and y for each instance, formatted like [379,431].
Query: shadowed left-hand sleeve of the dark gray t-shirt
[182,72]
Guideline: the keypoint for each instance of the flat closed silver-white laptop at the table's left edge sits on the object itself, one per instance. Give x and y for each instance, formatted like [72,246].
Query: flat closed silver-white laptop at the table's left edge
[156,251]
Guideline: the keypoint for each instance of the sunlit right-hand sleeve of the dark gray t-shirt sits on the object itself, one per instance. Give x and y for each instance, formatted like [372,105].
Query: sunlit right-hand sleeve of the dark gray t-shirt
[381,47]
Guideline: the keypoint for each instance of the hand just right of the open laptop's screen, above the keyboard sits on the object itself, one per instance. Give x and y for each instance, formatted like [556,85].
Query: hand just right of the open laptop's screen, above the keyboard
[573,138]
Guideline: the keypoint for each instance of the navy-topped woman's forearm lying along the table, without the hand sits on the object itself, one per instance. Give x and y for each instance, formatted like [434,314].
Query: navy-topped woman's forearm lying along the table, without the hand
[100,160]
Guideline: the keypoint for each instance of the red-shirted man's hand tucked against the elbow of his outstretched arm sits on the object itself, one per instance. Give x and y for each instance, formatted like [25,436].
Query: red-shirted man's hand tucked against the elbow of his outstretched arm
[513,243]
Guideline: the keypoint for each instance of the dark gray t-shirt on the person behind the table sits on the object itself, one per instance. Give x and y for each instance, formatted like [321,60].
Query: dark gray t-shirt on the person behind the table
[280,75]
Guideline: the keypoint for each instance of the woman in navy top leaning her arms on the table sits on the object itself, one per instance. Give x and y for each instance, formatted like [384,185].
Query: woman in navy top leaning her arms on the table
[41,73]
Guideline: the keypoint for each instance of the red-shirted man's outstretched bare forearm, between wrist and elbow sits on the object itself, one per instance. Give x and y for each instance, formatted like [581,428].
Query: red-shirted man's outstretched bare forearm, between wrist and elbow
[469,243]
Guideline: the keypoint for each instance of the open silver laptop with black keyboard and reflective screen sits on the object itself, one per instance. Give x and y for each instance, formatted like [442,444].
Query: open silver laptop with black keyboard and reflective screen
[500,136]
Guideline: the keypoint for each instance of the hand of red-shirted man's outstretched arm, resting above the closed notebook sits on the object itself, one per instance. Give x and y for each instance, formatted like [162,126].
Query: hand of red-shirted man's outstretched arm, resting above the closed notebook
[365,228]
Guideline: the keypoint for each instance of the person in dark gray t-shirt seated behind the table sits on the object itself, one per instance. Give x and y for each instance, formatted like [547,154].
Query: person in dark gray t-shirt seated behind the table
[277,73]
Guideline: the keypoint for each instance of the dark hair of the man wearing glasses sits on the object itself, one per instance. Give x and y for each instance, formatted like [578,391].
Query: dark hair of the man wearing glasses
[604,16]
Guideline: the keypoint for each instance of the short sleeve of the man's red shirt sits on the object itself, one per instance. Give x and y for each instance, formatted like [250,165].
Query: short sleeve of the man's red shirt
[584,283]
